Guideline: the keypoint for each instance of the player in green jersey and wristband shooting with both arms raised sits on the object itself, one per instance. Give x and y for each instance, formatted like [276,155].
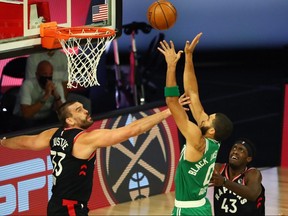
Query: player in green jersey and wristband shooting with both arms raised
[198,156]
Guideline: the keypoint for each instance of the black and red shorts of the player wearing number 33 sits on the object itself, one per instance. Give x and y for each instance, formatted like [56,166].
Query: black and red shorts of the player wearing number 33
[64,207]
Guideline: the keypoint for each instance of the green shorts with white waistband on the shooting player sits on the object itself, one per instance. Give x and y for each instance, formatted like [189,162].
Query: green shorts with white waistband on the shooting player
[199,207]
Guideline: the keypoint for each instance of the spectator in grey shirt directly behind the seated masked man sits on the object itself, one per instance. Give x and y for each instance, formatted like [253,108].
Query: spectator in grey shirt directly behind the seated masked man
[60,67]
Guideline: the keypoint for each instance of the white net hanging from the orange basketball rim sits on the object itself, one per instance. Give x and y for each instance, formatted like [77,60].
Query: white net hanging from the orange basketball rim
[83,56]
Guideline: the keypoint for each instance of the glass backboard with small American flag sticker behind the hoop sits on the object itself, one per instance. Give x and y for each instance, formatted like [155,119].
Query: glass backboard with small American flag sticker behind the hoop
[20,20]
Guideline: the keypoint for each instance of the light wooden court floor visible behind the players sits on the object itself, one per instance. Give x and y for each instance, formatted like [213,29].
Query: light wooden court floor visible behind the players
[275,181]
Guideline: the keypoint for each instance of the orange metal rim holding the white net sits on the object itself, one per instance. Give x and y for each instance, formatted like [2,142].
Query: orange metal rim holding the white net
[83,32]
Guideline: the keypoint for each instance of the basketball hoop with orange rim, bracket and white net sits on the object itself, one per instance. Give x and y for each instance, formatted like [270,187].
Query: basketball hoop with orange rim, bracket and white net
[83,47]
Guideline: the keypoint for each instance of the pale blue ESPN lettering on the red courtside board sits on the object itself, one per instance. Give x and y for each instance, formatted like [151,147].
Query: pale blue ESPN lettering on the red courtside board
[22,179]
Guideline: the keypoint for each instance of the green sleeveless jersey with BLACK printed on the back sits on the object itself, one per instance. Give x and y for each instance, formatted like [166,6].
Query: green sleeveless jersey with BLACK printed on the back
[192,178]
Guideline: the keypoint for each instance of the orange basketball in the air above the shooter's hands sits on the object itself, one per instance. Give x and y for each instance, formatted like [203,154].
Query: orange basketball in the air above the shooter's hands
[161,15]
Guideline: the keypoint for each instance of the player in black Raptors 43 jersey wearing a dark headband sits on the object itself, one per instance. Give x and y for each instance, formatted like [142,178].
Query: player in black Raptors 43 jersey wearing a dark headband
[238,187]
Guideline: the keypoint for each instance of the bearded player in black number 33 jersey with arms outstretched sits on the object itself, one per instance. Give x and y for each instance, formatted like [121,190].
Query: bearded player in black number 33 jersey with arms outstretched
[73,153]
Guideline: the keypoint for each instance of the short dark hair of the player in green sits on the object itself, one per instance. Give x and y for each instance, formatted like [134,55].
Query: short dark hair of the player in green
[223,127]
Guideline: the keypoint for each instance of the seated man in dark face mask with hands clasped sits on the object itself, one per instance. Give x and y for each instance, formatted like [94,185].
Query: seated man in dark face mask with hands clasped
[40,97]
